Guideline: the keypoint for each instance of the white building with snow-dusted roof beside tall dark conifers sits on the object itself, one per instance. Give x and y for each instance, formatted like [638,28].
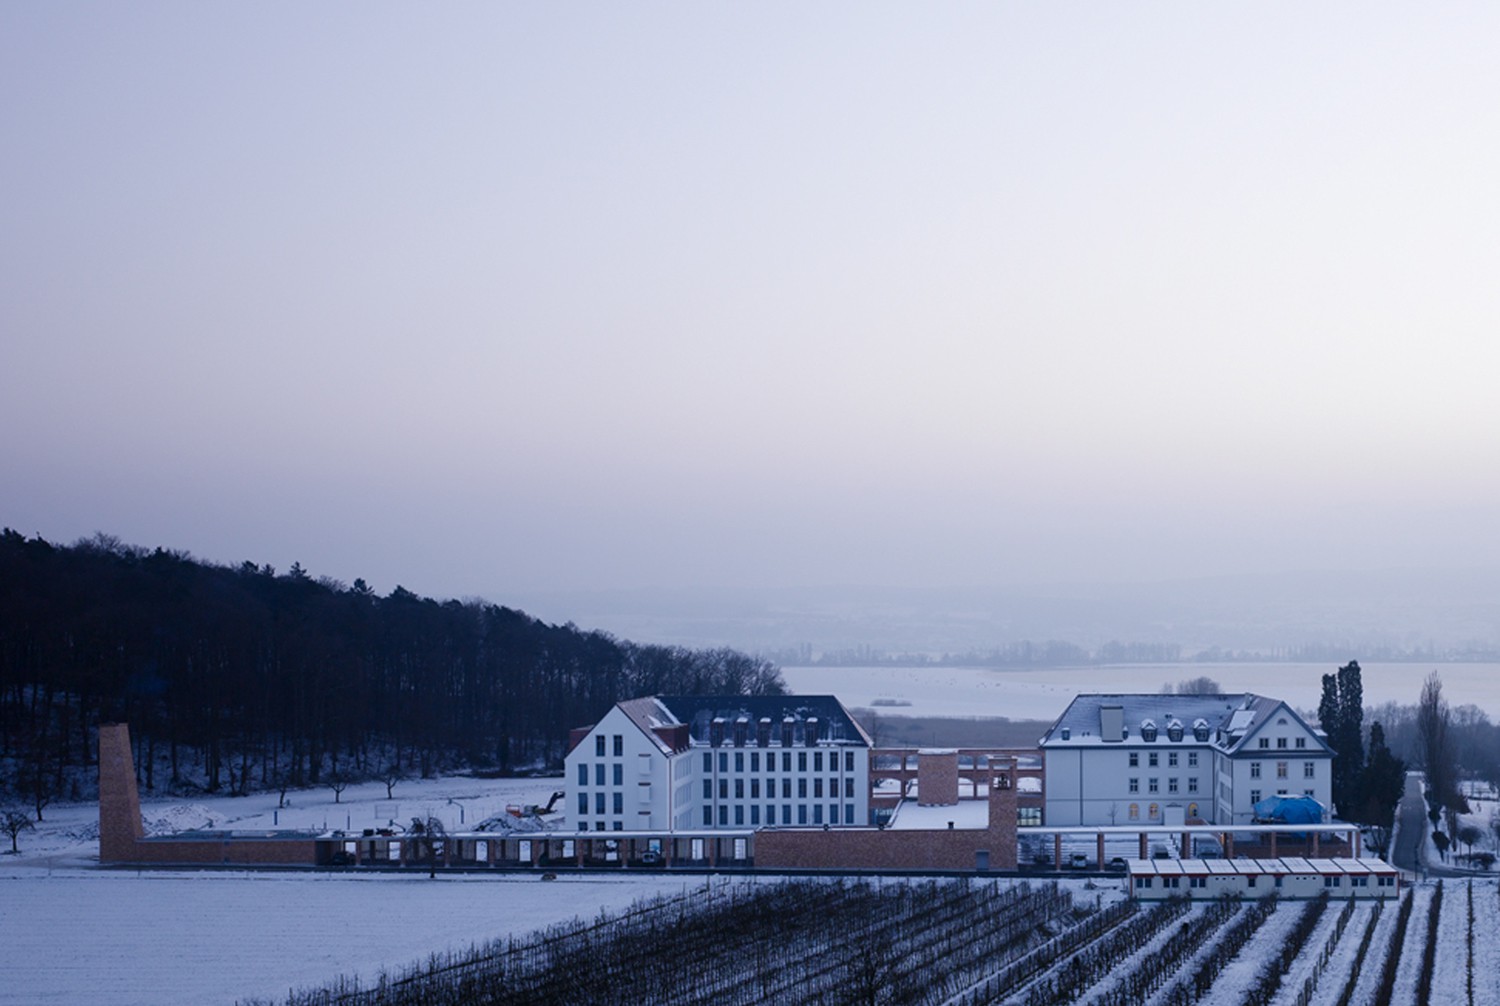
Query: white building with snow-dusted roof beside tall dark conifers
[1168,759]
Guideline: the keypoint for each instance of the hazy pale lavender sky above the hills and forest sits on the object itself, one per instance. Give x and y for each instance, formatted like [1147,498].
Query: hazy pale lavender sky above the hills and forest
[491,299]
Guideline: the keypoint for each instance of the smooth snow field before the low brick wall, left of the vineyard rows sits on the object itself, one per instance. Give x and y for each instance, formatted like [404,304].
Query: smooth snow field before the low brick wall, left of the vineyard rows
[215,938]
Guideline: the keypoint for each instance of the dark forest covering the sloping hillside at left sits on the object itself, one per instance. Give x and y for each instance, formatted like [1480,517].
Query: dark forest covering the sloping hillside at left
[239,677]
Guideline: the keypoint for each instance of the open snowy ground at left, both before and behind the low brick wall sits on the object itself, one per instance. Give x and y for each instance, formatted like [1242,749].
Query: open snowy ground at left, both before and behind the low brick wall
[74,933]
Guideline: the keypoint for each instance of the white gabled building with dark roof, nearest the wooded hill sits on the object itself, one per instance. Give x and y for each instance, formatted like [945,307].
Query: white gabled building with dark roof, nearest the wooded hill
[695,762]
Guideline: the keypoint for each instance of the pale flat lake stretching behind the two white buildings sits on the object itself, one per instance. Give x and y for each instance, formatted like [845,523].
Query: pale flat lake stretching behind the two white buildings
[1045,693]
